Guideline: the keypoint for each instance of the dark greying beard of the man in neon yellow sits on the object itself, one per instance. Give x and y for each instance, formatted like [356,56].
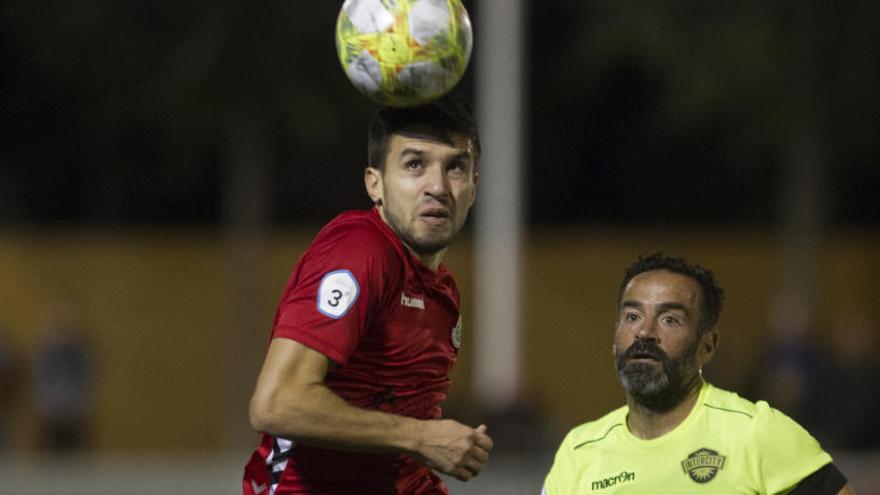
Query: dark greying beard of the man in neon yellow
[663,390]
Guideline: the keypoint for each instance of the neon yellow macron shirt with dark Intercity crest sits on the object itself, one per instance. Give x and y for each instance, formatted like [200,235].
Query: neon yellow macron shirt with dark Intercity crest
[726,445]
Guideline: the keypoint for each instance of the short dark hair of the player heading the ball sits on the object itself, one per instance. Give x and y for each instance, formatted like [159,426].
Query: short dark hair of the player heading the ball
[441,118]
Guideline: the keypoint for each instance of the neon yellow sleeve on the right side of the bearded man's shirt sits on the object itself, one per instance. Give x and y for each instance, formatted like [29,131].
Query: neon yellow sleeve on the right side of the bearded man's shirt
[788,453]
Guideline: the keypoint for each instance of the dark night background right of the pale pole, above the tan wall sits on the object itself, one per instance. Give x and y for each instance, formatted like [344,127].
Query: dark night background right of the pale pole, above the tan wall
[642,104]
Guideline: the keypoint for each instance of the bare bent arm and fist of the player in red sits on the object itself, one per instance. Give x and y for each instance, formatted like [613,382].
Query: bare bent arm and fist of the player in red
[292,401]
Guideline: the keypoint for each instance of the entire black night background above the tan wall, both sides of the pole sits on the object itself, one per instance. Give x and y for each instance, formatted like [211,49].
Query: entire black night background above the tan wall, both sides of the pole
[121,113]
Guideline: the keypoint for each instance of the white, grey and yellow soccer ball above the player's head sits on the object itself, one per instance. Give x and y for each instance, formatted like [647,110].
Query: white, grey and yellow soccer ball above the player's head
[404,52]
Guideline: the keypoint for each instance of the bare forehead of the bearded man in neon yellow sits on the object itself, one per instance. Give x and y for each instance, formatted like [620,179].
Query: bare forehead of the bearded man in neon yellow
[661,287]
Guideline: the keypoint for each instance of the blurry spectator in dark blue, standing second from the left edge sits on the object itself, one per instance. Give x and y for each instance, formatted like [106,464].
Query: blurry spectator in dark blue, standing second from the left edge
[63,383]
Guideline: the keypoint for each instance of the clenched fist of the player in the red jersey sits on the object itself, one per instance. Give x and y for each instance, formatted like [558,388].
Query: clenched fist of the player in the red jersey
[454,449]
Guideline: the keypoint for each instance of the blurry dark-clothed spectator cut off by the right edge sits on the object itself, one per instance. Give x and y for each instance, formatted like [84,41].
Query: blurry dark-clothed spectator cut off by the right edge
[850,418]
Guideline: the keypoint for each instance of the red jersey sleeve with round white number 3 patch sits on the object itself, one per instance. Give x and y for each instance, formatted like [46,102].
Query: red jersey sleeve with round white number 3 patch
[339,286]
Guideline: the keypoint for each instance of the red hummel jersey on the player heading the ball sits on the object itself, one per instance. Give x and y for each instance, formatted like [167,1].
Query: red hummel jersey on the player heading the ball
[392,325]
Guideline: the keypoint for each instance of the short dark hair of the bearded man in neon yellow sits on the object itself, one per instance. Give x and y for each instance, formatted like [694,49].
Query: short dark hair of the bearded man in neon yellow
[712,295]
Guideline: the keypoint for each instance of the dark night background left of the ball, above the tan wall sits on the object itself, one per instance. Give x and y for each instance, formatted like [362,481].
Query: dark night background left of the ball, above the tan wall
[144,100]
